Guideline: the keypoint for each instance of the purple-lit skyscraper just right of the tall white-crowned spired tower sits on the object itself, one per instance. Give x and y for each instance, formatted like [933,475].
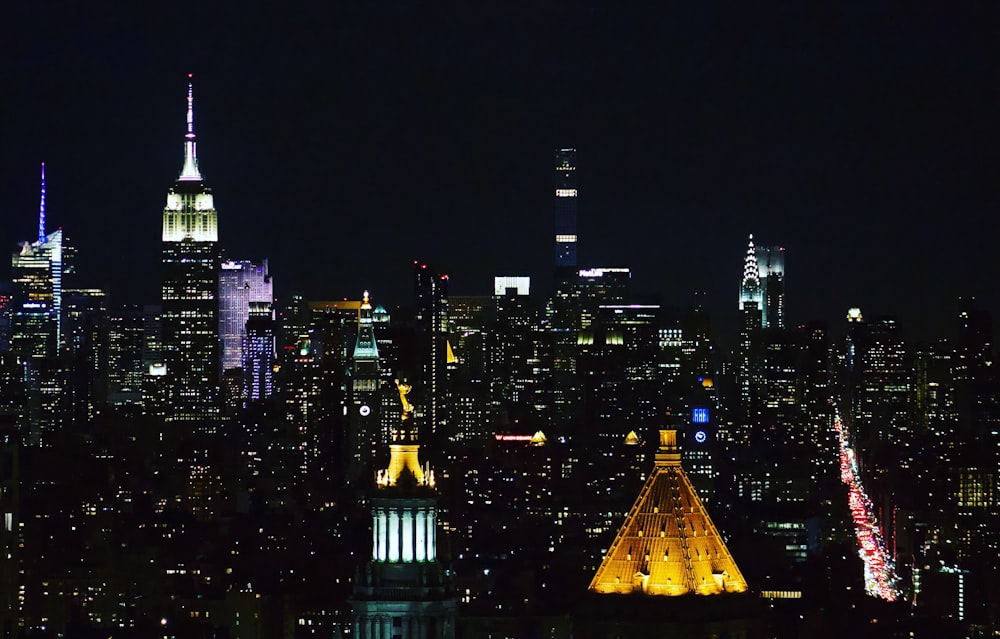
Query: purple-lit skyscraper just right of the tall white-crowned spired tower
[241,283]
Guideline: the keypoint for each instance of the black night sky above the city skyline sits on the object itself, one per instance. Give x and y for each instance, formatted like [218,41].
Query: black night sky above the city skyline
[343,141]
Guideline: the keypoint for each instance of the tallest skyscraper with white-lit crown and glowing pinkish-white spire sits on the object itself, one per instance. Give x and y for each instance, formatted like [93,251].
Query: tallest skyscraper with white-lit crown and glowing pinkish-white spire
[190,291]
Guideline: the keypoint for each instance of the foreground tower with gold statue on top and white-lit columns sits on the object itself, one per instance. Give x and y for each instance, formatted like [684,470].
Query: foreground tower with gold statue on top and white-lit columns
[403,590]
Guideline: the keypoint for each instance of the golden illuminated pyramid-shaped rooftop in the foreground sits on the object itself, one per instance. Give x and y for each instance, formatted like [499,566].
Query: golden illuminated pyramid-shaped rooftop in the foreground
[668,544]
